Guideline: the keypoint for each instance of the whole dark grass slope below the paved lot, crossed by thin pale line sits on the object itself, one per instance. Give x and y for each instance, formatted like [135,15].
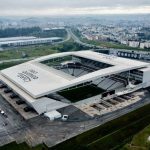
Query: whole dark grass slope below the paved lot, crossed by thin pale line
[111,134]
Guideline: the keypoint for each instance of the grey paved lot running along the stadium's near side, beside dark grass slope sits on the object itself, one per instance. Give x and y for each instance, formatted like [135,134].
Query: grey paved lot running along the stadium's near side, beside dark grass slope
[51,133]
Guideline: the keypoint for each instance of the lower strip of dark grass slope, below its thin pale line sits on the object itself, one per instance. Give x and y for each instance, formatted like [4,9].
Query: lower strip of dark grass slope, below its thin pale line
[113,140]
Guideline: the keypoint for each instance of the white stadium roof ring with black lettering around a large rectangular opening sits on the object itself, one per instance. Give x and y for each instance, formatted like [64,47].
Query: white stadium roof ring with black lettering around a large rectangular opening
[37,79]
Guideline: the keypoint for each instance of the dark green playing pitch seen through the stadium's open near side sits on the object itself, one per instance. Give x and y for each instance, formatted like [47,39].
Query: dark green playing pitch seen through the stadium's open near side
[80,93]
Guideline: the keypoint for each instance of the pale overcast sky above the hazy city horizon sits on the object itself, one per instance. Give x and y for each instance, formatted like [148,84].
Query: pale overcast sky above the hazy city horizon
[72,7]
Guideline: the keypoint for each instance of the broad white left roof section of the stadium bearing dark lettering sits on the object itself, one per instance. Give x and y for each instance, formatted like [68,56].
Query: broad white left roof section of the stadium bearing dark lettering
[33,79]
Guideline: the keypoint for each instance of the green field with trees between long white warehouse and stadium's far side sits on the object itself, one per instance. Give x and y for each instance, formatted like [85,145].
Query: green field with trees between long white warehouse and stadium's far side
[39,50]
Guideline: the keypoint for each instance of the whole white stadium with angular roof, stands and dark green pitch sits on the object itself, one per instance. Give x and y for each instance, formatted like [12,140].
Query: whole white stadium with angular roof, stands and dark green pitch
[74,78]
